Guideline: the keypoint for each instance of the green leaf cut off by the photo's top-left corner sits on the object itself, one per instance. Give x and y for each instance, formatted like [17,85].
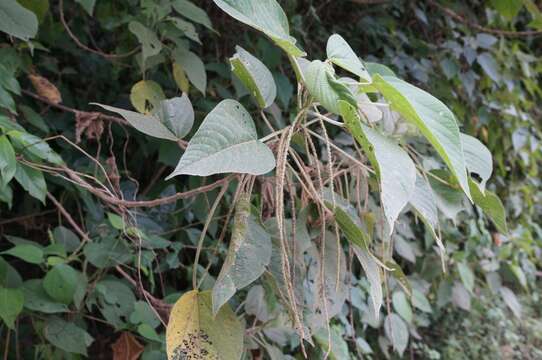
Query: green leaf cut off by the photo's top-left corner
[17,21]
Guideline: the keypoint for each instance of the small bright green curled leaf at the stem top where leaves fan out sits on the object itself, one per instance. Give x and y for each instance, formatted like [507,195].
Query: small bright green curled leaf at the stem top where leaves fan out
[321,83]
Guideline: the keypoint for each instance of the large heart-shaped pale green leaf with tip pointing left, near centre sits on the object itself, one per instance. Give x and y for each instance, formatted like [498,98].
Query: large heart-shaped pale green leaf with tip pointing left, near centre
[226,142]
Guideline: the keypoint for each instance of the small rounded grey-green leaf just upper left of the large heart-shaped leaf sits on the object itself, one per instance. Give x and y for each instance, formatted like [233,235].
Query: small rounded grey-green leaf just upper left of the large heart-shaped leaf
[177,114]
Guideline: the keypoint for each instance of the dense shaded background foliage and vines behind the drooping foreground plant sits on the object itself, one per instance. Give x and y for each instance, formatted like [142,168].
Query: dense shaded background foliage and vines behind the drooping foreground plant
[85,272]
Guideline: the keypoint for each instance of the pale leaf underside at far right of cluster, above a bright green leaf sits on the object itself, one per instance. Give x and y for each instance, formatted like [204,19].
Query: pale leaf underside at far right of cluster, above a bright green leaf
[477,158]
